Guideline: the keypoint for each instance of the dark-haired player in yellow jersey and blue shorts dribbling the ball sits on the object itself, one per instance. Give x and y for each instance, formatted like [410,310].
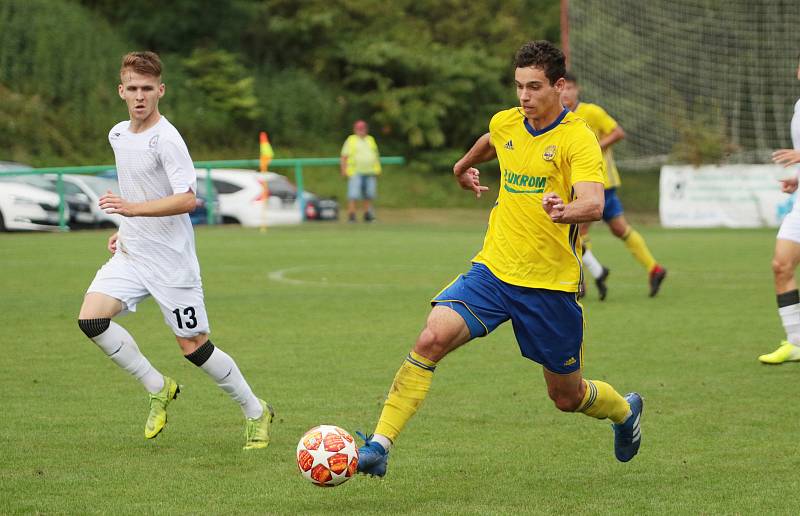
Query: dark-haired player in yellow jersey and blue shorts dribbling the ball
[529,269]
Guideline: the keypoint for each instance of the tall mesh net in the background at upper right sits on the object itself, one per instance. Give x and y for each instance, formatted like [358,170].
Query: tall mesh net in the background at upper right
[698,81]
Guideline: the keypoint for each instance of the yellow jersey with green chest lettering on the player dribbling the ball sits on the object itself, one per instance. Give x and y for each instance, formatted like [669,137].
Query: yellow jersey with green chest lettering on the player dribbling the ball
[522,245]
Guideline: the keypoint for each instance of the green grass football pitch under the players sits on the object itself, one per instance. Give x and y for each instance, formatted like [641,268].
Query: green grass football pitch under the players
[321,339]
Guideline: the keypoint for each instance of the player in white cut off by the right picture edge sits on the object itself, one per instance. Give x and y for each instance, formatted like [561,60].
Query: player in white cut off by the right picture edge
[787,254]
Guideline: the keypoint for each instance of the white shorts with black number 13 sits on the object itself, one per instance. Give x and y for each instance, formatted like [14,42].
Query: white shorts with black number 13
[183,307]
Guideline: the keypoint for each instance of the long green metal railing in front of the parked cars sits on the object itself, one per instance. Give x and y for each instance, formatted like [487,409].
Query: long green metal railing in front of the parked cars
[252,164]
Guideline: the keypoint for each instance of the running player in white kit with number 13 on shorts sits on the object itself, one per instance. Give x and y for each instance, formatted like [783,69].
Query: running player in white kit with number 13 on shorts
[154,255]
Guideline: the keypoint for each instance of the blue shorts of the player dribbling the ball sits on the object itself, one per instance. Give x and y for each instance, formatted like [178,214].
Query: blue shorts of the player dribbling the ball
[548,324]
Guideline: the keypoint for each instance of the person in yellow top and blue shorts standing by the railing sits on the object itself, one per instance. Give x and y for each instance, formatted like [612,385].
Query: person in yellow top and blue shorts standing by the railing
[360,164]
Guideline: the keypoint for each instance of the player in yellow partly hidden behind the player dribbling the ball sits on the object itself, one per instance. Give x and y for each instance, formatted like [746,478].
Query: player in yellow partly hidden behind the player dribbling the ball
[608,133]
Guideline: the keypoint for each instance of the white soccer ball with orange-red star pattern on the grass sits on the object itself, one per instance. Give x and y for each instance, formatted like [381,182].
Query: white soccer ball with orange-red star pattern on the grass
[327,456]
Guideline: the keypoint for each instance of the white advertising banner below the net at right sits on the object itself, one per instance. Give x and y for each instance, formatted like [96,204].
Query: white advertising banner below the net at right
[733,196]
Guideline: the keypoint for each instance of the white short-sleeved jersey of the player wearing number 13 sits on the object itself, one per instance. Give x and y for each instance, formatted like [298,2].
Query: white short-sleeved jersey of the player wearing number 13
[151,165]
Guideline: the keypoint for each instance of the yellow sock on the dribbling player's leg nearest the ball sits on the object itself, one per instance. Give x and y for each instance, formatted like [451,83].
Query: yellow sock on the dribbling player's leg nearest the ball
[410,386]
